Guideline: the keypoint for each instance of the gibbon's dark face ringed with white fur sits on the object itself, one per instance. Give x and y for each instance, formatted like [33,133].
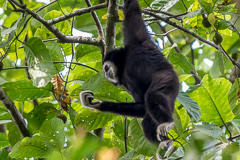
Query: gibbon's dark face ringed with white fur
[110,72]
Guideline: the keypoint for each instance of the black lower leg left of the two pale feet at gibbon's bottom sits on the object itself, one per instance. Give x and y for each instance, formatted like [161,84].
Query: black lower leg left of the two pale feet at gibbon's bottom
[150,128]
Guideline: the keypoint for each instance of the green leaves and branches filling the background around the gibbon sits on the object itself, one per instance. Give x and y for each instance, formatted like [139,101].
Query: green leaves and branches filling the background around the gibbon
[45,65]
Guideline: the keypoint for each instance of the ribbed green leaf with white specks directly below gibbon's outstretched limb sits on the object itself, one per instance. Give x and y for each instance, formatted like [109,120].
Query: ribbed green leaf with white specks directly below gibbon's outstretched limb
[93,120]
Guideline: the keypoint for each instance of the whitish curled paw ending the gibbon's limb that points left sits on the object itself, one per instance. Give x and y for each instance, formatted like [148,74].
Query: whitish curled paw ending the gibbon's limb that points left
[86,98]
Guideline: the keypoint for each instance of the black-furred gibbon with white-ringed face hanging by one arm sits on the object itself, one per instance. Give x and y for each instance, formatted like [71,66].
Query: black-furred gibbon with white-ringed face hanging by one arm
[142,69]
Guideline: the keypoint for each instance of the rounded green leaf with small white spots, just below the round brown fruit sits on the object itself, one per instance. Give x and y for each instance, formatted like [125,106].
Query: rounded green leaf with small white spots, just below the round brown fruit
[52,133]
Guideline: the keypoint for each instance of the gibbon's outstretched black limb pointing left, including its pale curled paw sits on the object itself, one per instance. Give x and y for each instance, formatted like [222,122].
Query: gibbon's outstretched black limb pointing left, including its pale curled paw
[124,109]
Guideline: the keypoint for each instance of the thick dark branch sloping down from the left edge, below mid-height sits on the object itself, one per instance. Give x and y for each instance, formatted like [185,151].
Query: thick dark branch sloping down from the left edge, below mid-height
[16,115]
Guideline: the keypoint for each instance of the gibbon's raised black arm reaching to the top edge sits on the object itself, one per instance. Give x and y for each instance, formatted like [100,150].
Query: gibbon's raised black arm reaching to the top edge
[134,29]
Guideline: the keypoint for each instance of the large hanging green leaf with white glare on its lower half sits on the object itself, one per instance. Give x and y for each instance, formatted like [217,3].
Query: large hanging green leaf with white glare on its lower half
[39,61]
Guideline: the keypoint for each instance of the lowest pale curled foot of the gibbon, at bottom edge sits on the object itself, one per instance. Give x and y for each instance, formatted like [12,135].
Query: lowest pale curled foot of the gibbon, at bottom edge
[165,149]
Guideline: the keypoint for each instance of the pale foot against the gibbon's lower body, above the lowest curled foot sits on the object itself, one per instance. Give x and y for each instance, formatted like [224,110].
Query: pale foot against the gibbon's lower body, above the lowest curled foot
[162,130]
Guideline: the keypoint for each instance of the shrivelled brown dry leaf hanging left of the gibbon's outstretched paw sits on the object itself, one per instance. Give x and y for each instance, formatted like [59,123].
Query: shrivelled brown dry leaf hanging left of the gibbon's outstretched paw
[58,85]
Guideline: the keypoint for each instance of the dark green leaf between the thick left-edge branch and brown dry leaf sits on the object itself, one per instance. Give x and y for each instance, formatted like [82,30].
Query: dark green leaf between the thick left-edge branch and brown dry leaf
[40,114]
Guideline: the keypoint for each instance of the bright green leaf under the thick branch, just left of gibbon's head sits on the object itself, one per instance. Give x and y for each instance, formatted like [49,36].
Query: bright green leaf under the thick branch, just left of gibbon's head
[82,50]
